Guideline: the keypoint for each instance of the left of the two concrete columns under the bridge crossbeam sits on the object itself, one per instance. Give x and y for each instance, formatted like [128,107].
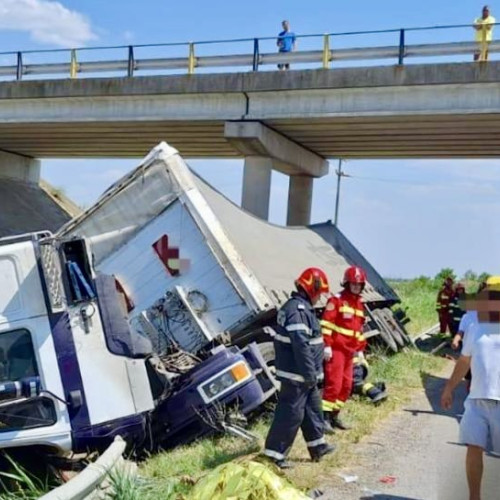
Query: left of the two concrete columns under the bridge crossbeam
[257,185]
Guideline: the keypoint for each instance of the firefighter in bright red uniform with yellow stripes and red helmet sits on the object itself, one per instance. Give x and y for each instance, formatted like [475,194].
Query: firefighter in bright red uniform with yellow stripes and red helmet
[342,329]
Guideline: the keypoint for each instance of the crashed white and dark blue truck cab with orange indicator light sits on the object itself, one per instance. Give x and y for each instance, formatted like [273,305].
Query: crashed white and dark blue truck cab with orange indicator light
[73,374]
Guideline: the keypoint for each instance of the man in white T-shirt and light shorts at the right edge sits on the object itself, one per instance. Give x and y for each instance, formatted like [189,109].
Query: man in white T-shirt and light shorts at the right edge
[480,425]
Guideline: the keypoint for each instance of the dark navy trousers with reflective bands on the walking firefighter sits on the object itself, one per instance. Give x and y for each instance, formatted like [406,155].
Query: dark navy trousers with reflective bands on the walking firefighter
[298,407]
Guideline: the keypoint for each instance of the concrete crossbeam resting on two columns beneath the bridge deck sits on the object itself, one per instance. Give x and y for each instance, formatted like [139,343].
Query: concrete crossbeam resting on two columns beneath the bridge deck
[255,139]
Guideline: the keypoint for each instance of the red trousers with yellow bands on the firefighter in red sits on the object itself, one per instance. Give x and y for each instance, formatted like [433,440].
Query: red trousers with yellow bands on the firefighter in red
[338,380]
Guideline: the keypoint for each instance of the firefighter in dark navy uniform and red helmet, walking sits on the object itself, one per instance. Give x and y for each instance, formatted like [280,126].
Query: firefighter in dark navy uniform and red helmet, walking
[299,367]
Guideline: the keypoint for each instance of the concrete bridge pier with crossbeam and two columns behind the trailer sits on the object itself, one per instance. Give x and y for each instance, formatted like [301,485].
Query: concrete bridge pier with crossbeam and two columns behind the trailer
[264,150]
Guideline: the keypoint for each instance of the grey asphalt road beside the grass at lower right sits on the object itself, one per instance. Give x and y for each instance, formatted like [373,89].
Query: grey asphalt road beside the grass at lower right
[417,453]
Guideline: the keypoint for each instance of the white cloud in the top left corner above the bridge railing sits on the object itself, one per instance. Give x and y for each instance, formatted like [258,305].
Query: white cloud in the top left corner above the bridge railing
[46,22]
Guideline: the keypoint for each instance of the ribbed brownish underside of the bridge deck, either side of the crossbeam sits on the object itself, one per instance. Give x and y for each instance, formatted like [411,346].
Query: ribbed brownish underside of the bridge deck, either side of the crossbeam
[416,136]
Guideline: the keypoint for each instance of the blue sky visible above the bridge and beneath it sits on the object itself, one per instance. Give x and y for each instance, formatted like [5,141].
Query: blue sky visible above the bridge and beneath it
[408,217]
